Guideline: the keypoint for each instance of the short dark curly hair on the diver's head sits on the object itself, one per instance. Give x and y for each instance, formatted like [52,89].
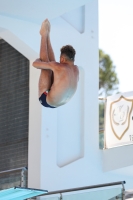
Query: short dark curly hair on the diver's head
[69,51]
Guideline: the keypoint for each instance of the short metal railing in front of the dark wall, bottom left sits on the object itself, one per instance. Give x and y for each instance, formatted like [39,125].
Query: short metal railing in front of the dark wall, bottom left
[22,176]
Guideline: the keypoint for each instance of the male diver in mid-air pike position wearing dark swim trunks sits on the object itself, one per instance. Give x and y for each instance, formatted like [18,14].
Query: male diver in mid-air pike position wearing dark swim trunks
[58,80]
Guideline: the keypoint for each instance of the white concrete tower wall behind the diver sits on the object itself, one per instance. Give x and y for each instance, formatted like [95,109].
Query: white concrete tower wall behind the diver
[64,142]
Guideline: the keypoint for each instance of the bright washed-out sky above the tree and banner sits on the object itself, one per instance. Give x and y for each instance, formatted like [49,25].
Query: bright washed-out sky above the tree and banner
[116,37]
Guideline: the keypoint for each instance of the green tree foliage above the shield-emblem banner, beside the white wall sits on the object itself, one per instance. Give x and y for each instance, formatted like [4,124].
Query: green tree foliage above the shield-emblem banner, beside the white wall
[108,80]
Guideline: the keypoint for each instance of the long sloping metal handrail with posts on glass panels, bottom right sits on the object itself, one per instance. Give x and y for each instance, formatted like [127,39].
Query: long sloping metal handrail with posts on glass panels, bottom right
[89,187]
